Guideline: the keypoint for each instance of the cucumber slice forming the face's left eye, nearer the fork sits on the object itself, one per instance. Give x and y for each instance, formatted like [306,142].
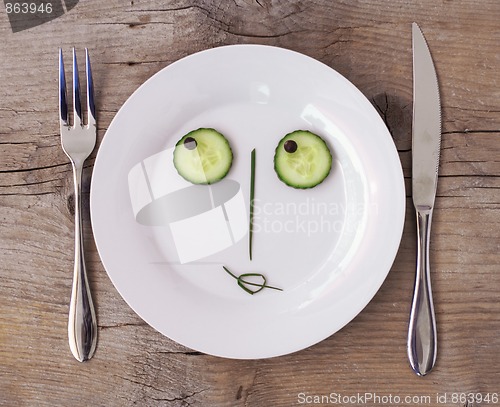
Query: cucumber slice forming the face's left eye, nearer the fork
[203,156]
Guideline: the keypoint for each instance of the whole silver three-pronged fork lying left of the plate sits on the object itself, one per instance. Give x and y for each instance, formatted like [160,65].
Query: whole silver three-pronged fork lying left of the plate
[78,141]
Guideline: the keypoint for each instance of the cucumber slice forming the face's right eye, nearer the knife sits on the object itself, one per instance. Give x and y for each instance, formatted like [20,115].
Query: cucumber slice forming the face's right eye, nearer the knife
[302,159]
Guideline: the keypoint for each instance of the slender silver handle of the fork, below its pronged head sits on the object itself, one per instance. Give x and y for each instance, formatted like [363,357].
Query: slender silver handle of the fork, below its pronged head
[82,324]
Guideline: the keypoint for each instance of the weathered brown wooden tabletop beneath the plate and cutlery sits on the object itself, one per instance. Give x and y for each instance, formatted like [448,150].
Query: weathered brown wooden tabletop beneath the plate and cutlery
[367,41]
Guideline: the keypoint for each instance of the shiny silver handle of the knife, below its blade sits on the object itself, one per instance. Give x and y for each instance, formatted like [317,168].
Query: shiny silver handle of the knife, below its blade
[422,333]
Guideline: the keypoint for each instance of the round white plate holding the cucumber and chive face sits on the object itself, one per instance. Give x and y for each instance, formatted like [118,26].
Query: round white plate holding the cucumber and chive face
[329,248]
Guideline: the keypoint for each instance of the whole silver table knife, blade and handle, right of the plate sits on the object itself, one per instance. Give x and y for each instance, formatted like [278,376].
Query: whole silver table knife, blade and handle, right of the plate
[426,142]
